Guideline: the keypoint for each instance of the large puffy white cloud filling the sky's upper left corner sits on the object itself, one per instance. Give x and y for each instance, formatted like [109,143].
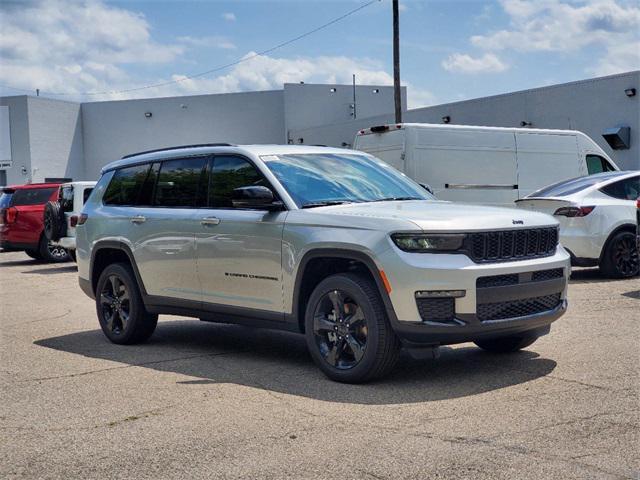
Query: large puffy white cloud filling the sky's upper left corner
[70,46]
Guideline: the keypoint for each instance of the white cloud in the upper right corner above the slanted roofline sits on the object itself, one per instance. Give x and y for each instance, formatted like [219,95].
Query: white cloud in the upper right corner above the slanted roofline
[562,26]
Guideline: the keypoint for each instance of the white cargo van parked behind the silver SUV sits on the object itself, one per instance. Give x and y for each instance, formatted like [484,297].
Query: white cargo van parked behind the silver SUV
[490,165]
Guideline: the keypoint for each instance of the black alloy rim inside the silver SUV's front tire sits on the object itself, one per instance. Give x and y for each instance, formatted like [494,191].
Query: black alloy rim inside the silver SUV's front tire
[340,330]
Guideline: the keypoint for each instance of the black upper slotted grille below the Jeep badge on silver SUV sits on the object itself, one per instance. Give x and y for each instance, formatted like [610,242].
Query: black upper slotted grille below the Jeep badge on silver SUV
[512,244]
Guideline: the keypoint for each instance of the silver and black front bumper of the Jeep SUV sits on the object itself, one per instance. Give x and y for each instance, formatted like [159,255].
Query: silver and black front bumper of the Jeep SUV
[409,273]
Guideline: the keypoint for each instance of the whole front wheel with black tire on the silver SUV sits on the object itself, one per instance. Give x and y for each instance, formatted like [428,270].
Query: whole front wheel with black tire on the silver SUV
[347,330]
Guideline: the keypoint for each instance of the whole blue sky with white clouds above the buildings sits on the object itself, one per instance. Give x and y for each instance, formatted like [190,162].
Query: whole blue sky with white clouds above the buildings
[450,50]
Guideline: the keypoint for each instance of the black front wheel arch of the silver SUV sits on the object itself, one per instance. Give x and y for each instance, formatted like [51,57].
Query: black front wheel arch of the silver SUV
[331,261]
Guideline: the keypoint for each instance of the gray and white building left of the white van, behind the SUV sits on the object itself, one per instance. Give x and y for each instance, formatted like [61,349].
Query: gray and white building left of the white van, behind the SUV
[46,139]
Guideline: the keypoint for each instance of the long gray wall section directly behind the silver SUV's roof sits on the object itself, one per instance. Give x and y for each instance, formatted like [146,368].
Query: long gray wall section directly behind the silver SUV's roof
[113,129]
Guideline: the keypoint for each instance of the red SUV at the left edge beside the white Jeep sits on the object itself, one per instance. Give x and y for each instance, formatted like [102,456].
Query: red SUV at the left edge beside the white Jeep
[22,223]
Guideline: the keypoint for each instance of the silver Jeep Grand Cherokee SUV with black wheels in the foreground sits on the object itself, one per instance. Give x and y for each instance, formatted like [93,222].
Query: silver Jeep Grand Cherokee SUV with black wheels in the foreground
[328,242]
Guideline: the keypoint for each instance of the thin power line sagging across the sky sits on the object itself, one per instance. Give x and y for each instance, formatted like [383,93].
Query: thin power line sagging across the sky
[213,70]
